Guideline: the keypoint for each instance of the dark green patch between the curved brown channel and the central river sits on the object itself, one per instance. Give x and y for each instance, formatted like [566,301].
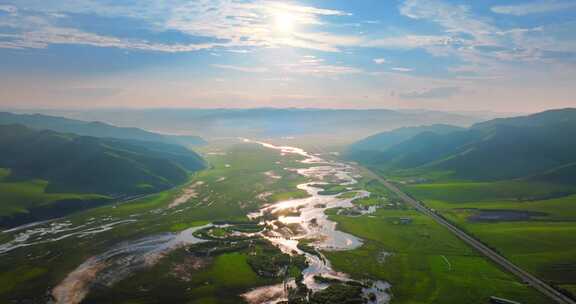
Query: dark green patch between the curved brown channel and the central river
[204,273]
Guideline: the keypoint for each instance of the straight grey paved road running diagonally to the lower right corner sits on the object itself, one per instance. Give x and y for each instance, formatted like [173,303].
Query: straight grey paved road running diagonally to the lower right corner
[486,251]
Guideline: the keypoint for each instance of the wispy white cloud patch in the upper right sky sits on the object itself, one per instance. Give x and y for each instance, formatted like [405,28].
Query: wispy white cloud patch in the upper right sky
[475,40]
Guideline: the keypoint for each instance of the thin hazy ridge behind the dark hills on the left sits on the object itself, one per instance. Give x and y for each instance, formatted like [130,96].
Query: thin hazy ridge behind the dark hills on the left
[94,129]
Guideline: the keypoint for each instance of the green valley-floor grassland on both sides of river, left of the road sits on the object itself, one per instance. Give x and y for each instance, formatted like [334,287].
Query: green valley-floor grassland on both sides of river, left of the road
[427,265]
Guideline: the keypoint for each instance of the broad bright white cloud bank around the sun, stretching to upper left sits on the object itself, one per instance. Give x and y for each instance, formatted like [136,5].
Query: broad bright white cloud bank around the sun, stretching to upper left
[230,24]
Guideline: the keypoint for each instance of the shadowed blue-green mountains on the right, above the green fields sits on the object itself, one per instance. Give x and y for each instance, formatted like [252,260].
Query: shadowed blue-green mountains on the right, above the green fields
[536,147]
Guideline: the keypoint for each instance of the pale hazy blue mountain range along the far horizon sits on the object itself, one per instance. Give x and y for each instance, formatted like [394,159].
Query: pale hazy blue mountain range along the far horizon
[272,122]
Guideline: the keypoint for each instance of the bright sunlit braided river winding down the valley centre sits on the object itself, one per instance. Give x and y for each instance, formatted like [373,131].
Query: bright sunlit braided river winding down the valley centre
[314,225]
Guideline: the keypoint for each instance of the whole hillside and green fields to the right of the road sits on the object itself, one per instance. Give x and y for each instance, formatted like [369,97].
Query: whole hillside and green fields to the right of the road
[508,182]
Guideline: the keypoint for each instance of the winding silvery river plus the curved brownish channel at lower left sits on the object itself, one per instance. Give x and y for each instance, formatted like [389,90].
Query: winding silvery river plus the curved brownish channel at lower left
[310,219]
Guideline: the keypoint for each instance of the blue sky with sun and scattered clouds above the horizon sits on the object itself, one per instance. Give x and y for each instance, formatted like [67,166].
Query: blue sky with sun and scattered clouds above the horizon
[489,55]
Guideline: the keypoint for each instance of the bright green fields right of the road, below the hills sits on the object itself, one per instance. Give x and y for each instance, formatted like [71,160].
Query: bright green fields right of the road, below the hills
[544,244]
